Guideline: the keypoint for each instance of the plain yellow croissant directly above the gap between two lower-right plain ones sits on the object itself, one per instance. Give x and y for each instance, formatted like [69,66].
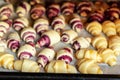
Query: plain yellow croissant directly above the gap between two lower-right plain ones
[99,42]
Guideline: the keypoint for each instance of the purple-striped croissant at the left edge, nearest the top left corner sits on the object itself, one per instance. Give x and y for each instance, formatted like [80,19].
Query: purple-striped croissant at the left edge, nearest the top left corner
[6,11]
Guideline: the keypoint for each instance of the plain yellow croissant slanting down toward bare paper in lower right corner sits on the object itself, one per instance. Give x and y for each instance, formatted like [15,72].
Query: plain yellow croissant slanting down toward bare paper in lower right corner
[108,56]
